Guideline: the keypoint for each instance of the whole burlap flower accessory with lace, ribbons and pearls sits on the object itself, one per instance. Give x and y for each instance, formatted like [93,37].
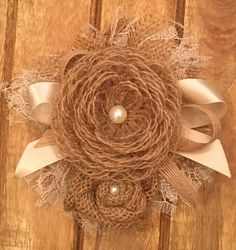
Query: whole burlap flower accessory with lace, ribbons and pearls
[121,114]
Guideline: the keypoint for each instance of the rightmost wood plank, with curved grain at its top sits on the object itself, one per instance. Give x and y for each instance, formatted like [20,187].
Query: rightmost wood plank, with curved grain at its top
[212,225]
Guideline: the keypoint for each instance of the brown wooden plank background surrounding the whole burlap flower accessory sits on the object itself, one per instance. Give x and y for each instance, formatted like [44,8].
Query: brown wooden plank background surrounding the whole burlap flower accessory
[33,28]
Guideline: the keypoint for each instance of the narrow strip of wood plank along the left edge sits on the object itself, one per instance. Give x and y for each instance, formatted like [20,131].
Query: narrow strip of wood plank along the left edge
[8,19]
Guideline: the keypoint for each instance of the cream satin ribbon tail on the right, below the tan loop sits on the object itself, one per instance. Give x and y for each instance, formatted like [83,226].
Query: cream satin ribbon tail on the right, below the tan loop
[211,155]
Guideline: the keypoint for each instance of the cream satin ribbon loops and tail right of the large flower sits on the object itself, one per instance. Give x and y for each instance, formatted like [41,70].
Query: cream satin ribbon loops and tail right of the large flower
[200,92]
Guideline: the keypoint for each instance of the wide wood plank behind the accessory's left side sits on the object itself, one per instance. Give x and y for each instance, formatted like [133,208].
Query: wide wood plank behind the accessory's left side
[33,29]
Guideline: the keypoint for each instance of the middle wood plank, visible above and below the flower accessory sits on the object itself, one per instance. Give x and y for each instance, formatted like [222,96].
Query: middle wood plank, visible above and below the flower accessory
[149,237]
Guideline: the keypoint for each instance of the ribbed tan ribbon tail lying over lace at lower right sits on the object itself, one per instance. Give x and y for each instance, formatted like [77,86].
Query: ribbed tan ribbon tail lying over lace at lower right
[175,177]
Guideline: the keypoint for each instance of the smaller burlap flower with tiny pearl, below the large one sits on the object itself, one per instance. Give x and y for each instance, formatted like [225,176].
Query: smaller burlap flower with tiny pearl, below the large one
[94,201]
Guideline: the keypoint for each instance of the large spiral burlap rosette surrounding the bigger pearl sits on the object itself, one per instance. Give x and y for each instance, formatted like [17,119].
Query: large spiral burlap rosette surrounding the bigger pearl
[88,138]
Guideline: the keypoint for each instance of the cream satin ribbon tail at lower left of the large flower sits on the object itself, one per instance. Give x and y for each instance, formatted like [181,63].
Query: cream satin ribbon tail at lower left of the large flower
[35,158]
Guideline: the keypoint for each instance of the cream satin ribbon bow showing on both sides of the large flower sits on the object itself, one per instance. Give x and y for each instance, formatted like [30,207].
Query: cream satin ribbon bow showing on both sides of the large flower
[39,154]
